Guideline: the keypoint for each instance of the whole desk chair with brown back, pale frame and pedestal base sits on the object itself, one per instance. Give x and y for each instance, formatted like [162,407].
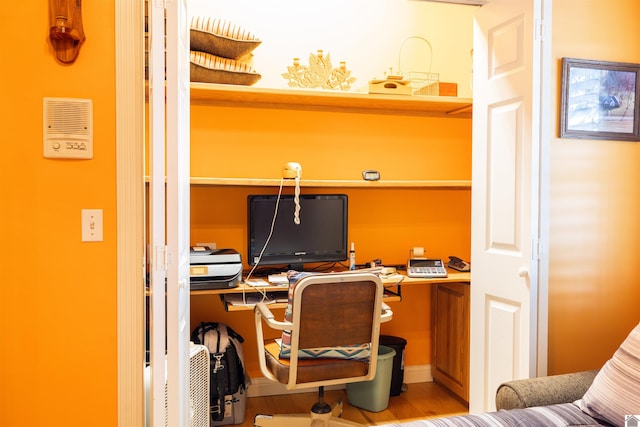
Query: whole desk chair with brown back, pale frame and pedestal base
[328,311]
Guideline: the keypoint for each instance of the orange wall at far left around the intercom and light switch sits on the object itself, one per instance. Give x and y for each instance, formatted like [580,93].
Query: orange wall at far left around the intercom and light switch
[58,303]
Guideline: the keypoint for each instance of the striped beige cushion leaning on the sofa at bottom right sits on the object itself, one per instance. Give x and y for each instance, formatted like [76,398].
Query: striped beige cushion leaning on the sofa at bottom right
[615,391]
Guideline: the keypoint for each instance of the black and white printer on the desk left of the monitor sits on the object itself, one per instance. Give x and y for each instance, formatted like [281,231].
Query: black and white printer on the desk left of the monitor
[214,268]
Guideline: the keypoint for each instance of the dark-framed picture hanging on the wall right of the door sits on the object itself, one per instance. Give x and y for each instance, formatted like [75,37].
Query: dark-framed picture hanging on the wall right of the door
[599,100]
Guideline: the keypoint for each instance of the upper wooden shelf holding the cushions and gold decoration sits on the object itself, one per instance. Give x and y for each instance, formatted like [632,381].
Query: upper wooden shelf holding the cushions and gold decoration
[319,100]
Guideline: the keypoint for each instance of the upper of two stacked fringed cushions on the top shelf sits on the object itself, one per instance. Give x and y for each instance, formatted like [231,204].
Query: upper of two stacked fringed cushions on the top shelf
[221,38]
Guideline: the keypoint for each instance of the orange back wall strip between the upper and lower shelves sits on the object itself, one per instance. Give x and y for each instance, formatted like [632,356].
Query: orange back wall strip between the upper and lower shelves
[245,142]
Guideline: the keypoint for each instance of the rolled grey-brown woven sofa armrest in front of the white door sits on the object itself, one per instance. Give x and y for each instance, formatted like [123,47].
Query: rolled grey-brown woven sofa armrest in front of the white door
[544,391]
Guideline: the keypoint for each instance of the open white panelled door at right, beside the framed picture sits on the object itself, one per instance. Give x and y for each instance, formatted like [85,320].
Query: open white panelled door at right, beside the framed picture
[506,140]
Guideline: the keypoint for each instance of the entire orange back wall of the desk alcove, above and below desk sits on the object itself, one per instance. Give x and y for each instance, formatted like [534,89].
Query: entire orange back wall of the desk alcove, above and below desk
[383,223]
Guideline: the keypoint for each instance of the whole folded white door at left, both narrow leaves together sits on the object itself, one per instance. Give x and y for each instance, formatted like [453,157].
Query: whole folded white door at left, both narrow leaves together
[169,234]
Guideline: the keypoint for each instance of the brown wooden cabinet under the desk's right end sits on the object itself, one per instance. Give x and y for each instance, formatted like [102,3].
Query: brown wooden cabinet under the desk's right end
[450,332]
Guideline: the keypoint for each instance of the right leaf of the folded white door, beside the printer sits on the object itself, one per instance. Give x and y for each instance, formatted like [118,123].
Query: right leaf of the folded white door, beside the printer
[178,221]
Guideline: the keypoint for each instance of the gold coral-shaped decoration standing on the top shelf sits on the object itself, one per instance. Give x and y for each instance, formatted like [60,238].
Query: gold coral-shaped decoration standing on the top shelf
[319,73]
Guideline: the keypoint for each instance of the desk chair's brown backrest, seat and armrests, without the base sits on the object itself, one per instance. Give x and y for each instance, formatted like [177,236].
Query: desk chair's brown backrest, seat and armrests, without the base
[332,331]
